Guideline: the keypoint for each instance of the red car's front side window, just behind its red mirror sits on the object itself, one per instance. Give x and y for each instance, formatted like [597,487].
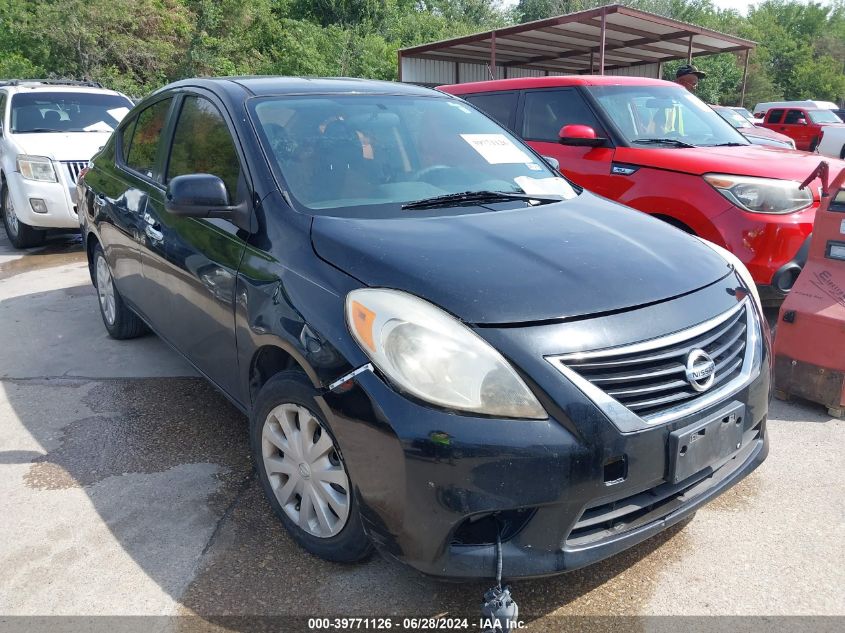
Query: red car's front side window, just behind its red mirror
[546,111]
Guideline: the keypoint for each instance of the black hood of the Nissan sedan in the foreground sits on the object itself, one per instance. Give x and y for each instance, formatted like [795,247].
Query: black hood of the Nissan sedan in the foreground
[580,257]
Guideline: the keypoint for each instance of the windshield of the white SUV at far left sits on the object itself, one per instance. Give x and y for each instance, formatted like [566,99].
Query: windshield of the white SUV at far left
[67,112]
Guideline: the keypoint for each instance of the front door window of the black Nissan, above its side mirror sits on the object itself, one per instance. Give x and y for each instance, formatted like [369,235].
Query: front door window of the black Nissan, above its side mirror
[202,144]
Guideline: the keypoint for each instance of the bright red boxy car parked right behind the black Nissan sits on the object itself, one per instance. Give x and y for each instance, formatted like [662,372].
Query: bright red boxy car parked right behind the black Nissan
[653,146]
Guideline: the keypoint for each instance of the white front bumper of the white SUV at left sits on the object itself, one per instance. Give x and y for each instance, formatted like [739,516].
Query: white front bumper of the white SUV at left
[59,198]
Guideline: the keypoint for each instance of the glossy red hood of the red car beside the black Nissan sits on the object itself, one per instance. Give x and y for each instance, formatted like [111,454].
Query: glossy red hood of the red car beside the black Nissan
[750,160]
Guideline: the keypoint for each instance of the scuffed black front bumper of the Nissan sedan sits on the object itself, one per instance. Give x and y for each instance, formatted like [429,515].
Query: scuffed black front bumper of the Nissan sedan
[430,482]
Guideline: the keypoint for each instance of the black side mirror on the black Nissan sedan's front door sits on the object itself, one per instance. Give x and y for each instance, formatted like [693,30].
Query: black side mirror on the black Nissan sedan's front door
[205,196]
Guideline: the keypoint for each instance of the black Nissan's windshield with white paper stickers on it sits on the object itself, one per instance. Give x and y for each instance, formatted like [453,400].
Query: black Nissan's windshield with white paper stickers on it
[344,154]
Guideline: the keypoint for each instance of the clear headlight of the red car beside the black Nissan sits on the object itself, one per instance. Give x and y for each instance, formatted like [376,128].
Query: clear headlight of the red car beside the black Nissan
[761,195]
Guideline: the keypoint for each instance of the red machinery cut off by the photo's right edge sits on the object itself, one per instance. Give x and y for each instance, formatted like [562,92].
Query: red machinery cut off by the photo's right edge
[810,339]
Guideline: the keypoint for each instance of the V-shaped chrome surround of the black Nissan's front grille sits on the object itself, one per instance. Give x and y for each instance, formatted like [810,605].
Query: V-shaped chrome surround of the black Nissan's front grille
[626,420]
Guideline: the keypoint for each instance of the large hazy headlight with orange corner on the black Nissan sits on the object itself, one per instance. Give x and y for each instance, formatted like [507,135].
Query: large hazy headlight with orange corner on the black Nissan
[435,357]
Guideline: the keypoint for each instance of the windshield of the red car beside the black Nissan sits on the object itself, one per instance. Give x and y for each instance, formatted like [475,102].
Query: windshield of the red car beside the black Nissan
[664,112]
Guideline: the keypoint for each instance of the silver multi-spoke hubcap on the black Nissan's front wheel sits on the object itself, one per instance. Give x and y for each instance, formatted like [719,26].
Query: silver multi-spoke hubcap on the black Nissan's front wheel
[305,471]
